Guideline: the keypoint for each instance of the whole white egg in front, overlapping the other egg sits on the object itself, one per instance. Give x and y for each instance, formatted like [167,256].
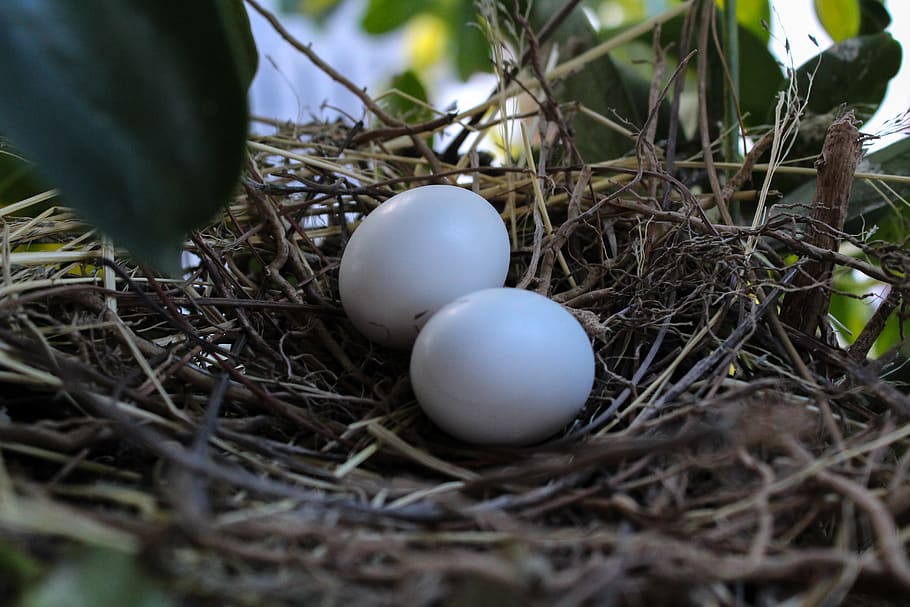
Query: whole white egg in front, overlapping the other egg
[502,367]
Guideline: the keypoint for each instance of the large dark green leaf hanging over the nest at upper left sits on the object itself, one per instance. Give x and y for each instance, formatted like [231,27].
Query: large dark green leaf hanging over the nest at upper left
[135,109]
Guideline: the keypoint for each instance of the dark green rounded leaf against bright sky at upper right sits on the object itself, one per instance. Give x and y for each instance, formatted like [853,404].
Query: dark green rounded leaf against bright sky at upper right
[855,72]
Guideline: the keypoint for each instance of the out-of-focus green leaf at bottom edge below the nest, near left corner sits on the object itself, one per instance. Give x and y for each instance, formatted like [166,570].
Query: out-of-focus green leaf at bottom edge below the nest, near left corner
[98,578]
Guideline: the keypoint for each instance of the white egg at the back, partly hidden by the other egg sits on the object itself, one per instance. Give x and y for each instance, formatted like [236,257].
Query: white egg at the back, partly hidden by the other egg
[415,253]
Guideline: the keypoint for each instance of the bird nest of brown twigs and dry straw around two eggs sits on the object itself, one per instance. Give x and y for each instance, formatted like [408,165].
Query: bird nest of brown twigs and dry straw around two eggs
[234,430]
